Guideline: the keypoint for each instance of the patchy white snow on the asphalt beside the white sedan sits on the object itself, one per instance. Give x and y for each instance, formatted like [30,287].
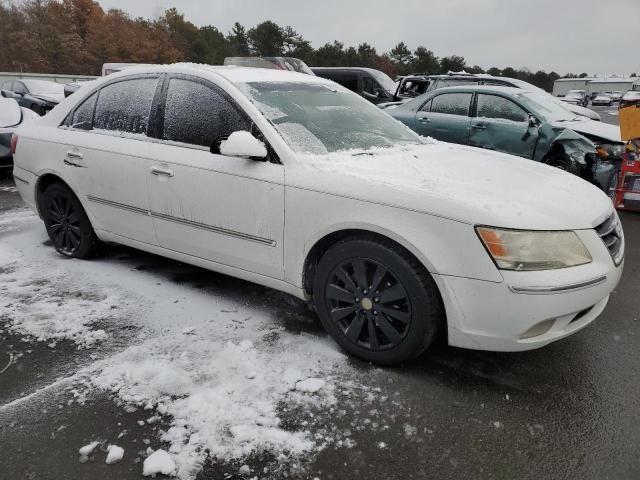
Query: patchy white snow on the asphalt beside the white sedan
[220,371]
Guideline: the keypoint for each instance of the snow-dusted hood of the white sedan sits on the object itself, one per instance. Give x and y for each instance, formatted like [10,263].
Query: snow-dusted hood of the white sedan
[466,184]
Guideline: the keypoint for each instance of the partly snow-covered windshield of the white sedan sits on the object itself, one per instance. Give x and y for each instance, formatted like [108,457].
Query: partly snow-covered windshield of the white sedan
[321,118]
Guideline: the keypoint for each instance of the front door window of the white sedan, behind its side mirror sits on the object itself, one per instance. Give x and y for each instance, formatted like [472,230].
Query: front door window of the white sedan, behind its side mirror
[199,114]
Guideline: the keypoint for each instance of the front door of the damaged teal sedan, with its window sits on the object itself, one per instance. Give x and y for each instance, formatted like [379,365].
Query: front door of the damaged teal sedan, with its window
[503,125]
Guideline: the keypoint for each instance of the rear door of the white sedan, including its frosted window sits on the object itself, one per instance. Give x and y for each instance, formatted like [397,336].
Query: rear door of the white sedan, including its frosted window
[106,151]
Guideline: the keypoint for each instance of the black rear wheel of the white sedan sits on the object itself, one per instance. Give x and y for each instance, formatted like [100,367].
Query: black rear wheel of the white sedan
[67,223]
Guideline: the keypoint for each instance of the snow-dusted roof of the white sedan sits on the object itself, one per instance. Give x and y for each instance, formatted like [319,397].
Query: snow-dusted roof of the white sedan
[232,73]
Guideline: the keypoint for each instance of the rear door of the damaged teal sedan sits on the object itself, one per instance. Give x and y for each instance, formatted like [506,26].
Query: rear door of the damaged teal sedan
[445,117]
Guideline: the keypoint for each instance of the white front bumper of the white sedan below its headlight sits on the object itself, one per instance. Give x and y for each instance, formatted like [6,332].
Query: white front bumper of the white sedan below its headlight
[529,309]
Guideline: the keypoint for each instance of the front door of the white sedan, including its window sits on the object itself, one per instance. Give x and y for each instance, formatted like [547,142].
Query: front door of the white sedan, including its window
[223,209]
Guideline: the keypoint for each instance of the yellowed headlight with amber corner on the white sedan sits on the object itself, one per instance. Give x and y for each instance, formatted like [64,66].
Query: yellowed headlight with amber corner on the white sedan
[524,250]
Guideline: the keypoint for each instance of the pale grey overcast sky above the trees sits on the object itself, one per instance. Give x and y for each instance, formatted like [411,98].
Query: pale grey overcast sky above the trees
[562,35]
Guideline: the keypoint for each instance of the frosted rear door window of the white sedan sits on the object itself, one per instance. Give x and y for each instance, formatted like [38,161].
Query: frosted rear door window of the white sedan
[125,106]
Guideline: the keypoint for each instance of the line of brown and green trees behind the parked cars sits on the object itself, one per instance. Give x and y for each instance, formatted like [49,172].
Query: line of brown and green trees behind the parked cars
[78,36]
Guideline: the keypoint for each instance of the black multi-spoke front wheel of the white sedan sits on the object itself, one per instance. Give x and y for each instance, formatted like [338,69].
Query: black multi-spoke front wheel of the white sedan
[392,319]
